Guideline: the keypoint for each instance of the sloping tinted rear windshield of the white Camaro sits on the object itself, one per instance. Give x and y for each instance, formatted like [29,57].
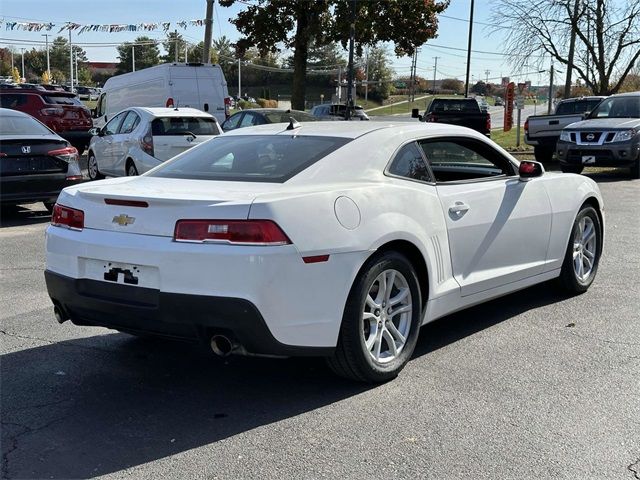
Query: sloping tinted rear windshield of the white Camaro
[250,158]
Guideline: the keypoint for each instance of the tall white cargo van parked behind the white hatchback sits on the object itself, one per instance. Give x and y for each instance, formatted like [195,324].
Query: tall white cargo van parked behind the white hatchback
[194,85]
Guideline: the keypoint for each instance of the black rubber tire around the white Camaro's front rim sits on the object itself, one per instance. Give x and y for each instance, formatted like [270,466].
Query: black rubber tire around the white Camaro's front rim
[569,279]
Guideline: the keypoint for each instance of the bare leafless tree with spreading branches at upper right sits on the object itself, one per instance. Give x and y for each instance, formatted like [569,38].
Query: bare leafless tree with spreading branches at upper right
[605,37]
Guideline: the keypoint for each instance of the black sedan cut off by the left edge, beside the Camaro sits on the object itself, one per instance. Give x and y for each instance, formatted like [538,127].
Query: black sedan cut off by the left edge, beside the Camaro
[35,163]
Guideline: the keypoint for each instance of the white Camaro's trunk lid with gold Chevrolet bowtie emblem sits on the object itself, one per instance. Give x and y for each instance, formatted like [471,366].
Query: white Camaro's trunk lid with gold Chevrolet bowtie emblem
[168,200]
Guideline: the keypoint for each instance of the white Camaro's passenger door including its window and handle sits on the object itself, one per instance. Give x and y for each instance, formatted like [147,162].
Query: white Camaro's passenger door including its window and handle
[498,225]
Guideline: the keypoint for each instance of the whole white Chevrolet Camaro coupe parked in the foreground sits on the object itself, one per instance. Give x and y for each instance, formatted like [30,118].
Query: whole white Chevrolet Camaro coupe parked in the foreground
[337,239]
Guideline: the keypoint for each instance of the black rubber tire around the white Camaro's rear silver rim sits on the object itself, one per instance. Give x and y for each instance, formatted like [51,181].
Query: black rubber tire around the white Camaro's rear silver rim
[352,359]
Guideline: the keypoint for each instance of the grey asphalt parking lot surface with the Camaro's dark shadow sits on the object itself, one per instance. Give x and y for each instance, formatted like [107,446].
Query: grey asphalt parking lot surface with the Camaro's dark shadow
[534,385]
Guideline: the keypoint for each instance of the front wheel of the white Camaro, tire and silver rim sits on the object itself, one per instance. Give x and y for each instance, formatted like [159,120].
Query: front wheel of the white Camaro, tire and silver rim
[583,252]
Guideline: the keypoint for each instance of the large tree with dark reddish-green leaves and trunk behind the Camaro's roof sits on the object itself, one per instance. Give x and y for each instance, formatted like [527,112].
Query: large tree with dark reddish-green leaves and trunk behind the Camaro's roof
[299,23]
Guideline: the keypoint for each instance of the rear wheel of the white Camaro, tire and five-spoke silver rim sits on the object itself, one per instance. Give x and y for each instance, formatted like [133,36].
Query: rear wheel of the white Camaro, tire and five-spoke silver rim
[381,321]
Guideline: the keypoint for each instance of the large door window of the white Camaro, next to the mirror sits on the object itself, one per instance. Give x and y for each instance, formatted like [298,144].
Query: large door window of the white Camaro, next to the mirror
[462,159]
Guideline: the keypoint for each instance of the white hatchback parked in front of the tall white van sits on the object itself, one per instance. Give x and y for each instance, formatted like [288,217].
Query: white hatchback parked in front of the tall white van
[138,139]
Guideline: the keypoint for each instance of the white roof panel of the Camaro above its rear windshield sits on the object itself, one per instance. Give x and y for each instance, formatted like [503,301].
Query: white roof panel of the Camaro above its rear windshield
[352,129]
